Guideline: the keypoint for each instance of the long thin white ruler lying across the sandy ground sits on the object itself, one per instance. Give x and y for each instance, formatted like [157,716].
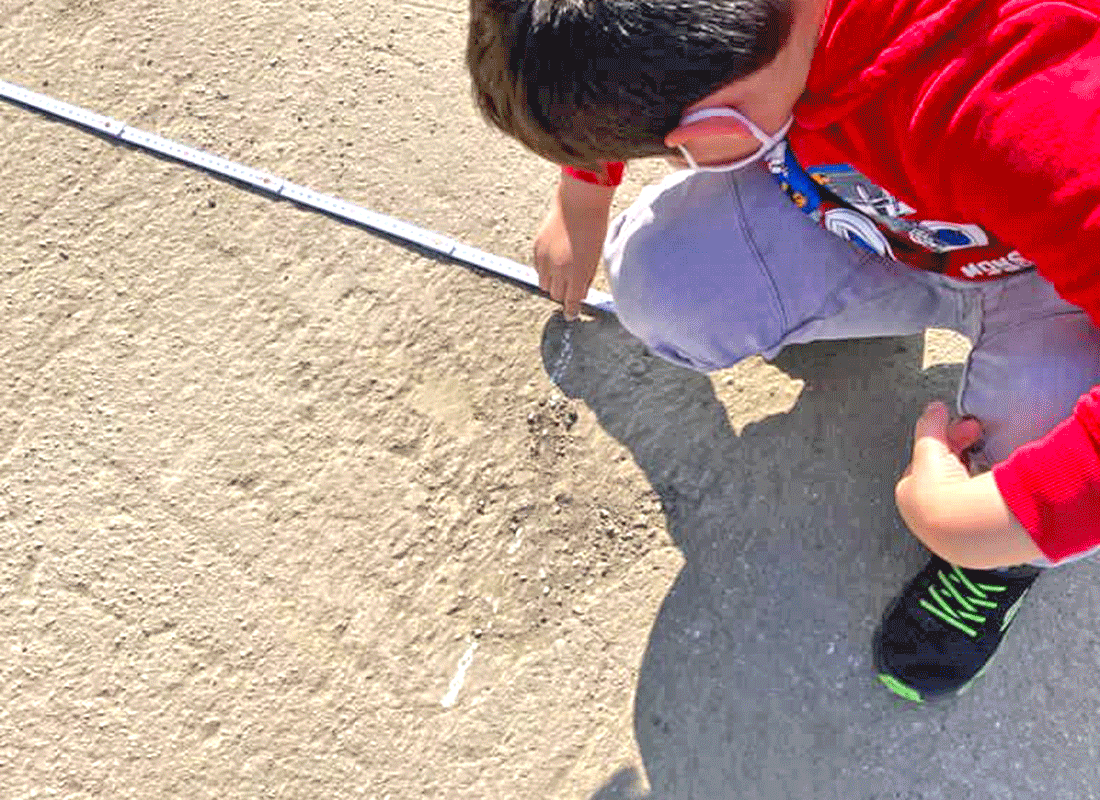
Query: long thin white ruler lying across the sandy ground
[279,188]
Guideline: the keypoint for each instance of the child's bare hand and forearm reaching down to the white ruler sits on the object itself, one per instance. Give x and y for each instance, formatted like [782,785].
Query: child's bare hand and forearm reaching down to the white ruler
[570,242]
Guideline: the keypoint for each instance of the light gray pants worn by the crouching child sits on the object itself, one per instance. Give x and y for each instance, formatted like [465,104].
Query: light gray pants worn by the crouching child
[708,269]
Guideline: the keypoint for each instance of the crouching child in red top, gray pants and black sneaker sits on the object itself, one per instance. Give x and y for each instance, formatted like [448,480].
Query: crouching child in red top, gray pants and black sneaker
[956,137]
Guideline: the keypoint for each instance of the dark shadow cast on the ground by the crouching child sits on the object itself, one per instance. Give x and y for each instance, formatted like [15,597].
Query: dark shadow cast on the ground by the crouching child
[757,680]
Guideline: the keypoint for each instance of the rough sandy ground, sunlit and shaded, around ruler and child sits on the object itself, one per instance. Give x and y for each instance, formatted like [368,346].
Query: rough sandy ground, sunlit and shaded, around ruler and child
[291,511]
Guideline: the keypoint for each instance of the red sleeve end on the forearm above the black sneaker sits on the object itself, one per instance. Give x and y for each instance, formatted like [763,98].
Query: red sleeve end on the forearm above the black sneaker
[1053,486]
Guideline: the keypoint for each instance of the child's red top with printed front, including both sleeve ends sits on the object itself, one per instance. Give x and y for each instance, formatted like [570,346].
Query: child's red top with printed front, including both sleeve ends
[985,116]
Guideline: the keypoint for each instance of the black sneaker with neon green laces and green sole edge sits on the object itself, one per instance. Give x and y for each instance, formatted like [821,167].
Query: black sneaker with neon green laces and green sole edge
[940,634]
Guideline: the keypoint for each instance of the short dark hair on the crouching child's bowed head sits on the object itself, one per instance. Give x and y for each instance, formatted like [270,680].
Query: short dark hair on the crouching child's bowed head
[581,82]
